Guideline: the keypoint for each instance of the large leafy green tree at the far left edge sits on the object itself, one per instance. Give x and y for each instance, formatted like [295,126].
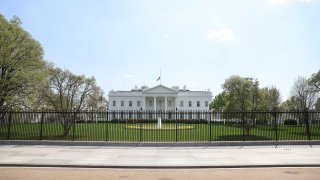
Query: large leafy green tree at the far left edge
[21,64]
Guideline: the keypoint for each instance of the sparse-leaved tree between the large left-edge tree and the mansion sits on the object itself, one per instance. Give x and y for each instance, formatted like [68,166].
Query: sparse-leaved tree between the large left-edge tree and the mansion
[68,92]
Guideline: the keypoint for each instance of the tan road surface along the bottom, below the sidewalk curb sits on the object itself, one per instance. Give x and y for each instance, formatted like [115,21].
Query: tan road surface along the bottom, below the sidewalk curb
[17,173]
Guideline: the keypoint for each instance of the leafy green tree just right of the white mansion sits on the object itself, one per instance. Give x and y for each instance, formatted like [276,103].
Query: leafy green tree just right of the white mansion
[244,94]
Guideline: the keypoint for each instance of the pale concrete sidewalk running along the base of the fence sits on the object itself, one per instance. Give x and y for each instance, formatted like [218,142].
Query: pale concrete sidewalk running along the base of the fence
[159,157]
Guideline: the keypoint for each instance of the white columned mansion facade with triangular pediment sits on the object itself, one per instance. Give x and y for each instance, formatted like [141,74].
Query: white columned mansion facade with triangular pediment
[160,98]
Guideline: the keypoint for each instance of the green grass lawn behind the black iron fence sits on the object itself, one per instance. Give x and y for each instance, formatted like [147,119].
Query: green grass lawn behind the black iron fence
[176,132]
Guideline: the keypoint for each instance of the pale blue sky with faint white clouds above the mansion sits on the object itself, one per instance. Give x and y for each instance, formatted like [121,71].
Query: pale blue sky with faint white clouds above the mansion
[195,43]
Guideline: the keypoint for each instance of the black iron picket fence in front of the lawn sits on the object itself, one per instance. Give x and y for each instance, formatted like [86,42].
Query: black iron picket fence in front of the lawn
[160,126]
